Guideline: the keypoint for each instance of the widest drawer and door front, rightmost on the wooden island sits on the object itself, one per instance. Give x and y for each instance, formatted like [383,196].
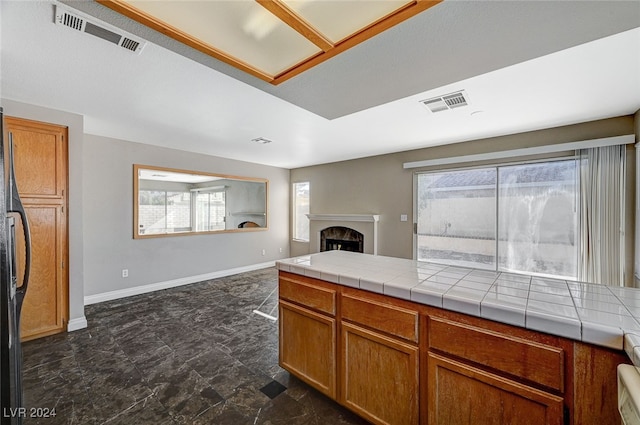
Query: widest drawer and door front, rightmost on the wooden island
[480,375]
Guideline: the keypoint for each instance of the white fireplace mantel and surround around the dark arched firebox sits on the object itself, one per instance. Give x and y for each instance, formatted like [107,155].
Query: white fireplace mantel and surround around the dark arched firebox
[367,224]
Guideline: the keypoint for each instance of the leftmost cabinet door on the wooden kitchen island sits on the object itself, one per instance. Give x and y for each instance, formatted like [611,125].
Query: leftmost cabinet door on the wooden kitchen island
[307,346]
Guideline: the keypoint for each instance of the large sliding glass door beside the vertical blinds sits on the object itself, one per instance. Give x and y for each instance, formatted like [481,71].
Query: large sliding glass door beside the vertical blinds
[520,218]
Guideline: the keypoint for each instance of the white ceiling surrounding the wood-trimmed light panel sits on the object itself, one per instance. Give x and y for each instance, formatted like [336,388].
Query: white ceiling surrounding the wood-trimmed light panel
[525,65]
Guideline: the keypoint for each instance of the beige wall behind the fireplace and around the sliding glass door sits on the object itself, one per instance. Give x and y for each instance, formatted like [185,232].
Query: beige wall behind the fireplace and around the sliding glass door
[380,185]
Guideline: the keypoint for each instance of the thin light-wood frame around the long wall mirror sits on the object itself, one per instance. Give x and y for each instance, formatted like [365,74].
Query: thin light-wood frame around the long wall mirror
[136,198]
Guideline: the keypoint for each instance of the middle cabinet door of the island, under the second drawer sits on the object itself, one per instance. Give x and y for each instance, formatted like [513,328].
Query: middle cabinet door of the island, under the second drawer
[380,376]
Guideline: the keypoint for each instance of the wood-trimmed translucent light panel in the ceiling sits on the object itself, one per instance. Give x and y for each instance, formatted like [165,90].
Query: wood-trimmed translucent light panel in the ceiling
[273,40]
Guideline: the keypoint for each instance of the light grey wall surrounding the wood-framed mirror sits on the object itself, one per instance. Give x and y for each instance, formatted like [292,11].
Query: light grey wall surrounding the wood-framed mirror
[108,220]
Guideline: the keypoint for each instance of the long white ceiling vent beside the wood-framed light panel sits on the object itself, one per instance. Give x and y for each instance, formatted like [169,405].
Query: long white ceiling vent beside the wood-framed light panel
[98,29]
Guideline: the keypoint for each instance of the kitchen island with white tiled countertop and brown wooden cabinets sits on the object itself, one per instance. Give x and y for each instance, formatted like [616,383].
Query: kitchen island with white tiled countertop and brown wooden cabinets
[405,342]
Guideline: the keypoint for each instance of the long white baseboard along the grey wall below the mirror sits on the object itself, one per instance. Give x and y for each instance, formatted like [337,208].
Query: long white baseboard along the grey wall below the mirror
[129,292]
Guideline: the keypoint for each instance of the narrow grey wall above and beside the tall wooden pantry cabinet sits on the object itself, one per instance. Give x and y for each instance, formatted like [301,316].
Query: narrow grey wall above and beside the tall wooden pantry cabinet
[75,124]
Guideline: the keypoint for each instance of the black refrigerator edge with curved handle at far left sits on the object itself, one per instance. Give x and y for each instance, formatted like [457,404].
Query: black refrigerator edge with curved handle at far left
[11,294]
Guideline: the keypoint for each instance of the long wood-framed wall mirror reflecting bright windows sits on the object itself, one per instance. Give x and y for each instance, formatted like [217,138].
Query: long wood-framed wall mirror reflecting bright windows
[170,202]
